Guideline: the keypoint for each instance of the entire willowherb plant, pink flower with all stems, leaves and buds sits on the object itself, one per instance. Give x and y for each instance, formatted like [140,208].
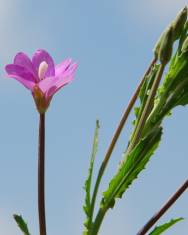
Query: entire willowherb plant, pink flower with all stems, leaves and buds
[156,101]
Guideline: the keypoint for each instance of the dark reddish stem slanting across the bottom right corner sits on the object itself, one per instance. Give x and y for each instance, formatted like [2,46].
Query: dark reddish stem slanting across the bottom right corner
[166,206]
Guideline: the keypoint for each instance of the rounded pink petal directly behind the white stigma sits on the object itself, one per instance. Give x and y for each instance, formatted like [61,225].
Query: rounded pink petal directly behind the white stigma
[39,57]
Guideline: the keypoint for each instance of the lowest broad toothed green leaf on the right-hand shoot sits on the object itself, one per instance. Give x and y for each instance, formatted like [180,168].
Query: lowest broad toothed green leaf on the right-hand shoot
[135,162]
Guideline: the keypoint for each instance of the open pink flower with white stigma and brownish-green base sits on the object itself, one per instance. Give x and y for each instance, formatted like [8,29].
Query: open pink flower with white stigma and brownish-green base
[41,76]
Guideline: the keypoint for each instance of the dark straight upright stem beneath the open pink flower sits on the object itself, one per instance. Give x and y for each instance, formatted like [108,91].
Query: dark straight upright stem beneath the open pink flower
[41,176]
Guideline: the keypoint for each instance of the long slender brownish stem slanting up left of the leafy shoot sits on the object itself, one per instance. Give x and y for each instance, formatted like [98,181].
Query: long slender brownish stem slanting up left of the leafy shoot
[117,134]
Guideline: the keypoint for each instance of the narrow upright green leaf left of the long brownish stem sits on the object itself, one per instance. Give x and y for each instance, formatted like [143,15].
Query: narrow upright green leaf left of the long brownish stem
[87,187]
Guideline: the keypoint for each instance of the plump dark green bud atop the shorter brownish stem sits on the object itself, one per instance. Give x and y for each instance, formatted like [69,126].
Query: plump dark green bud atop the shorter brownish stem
[166,46]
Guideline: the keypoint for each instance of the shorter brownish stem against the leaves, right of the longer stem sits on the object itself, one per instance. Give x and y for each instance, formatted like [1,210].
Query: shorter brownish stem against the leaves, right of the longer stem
[147,108]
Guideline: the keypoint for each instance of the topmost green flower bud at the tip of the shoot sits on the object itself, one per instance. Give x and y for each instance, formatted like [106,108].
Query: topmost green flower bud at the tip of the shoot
[179,22]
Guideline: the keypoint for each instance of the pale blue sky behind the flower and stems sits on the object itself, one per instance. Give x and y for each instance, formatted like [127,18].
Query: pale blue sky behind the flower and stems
[112,42]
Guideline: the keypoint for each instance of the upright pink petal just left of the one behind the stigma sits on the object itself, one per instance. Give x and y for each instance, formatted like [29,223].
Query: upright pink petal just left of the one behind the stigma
[24,61]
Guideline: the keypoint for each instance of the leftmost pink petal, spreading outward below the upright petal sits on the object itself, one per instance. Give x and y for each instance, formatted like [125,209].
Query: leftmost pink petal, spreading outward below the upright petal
[19,73]
